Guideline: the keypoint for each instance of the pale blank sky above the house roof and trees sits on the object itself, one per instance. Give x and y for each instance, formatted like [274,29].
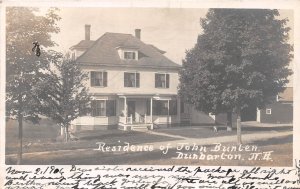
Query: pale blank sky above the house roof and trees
[173,30]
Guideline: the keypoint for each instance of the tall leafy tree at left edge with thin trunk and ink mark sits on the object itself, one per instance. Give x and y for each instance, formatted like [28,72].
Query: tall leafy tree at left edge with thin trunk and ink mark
[24,69]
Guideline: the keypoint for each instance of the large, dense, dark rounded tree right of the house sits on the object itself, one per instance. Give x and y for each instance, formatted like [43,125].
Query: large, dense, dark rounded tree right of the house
[241,58]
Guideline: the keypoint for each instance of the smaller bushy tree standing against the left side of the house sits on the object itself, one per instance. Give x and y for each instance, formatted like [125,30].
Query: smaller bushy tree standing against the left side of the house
[65,94]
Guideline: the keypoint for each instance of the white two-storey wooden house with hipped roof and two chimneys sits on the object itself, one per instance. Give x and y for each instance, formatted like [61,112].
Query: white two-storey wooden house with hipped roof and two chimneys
[133,85]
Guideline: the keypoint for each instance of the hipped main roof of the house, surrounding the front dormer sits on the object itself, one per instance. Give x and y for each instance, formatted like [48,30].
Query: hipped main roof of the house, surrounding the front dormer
[104,51]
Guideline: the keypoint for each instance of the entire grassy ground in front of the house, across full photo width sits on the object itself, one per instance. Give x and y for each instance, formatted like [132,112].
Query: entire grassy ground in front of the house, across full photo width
[44,137]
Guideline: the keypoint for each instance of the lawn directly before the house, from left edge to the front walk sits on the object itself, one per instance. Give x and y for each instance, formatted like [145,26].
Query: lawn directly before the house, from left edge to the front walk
[44,137]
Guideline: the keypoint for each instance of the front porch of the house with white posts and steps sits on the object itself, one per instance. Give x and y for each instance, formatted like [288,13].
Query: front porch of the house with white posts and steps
[140,112]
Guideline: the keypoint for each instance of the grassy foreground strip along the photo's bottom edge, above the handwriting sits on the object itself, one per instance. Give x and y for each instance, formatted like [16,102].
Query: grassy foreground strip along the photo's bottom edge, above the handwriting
[282,147]
